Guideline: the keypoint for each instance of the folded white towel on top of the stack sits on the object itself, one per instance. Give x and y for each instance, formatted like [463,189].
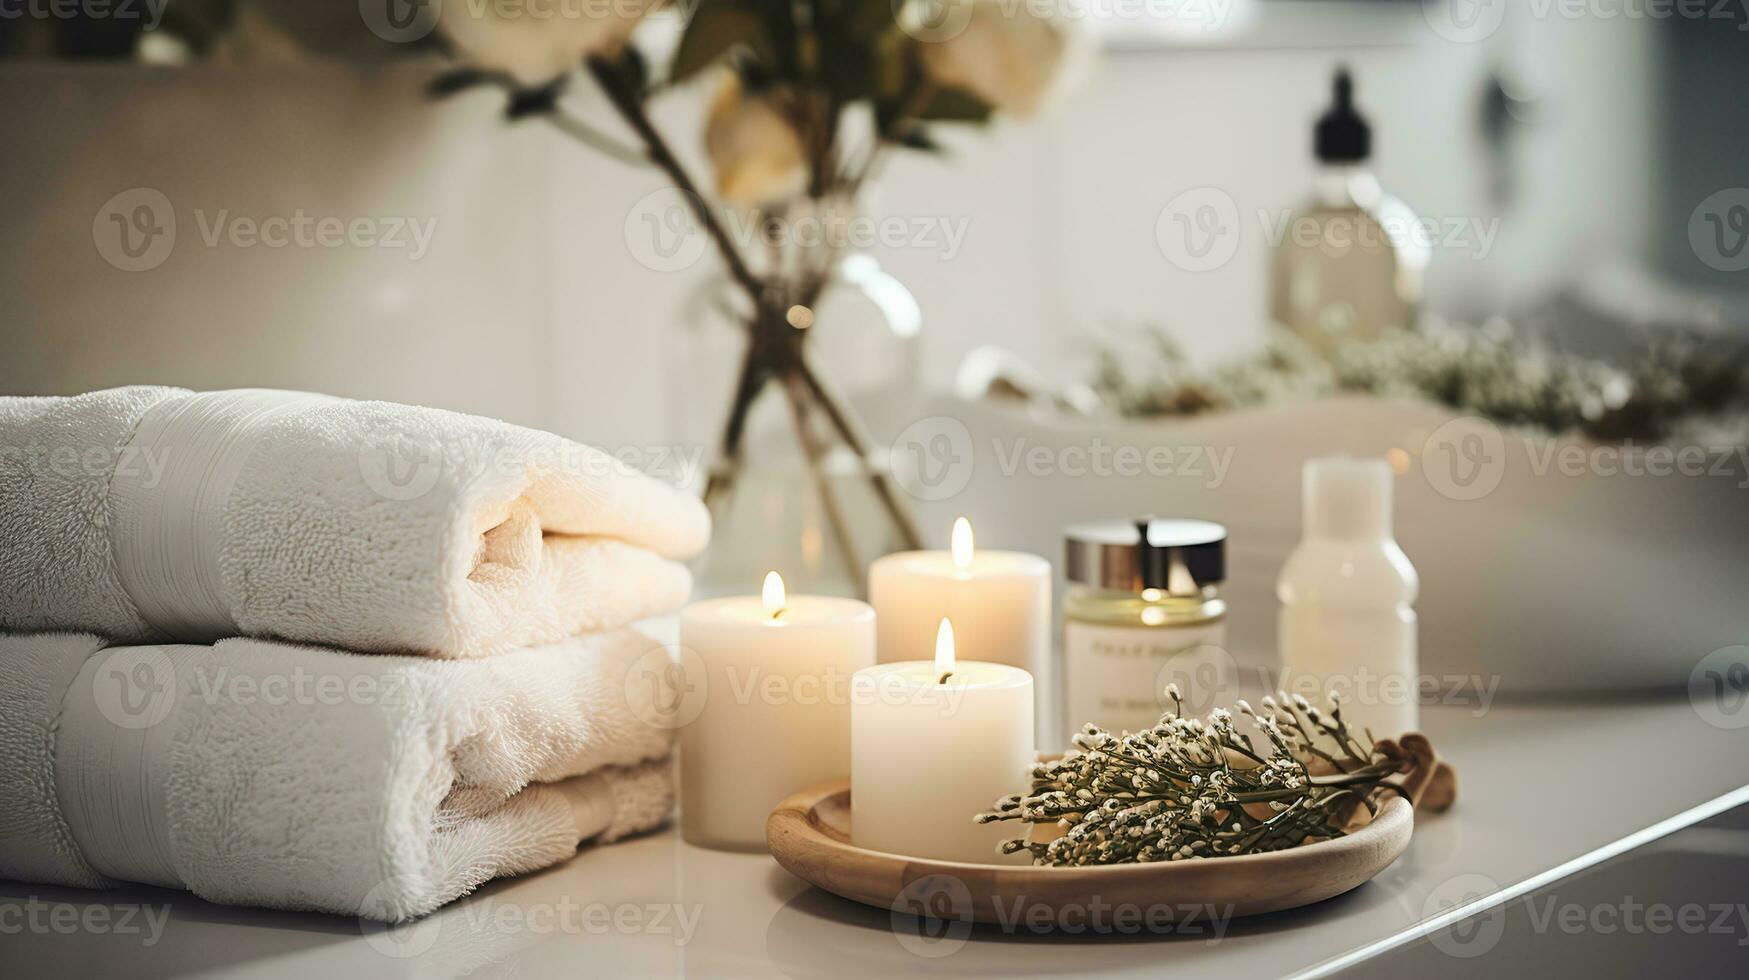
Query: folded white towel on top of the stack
[162,515]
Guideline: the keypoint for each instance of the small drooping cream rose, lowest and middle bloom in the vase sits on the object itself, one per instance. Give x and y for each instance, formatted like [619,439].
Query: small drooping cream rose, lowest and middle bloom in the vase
[755,150]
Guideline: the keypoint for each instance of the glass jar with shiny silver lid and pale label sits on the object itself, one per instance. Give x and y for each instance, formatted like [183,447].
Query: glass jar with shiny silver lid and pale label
[1143,612]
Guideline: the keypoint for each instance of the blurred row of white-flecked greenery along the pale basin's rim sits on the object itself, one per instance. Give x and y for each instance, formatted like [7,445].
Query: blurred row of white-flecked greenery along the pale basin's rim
[1671,379]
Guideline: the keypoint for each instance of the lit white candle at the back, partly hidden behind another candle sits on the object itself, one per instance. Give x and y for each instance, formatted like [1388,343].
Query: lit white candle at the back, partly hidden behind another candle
[1000,603]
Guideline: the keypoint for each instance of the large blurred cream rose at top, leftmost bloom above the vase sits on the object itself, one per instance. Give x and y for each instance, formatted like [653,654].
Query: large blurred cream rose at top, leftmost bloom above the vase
[536,41]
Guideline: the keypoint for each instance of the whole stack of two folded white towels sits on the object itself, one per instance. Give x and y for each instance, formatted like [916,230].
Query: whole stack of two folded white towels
[302,652]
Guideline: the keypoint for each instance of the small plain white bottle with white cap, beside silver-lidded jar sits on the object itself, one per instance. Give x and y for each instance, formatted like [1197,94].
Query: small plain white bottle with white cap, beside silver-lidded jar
[1348,601]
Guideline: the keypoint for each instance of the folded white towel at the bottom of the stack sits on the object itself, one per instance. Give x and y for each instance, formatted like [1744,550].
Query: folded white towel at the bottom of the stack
[254,773]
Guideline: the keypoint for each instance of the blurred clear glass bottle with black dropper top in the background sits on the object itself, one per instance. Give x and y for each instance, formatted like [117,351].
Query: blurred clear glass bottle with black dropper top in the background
[1349,265]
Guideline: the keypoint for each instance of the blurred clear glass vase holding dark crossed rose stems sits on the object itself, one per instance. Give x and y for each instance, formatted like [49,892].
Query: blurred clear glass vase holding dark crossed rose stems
[788,489]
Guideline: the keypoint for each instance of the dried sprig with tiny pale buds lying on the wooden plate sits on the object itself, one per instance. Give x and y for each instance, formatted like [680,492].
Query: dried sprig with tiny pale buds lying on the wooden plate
[1192,788]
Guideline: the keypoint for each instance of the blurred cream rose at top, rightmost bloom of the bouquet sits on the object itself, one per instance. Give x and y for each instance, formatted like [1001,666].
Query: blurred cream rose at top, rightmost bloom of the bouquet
[1005,53]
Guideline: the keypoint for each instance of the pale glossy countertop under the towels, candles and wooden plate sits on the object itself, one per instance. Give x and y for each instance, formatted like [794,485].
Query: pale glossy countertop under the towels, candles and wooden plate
[1554,801]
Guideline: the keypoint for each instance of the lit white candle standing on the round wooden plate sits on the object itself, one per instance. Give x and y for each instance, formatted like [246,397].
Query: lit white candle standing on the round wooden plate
[935,743]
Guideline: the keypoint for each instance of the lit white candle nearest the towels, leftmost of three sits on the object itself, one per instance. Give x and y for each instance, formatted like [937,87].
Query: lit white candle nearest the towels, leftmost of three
[774,713]
